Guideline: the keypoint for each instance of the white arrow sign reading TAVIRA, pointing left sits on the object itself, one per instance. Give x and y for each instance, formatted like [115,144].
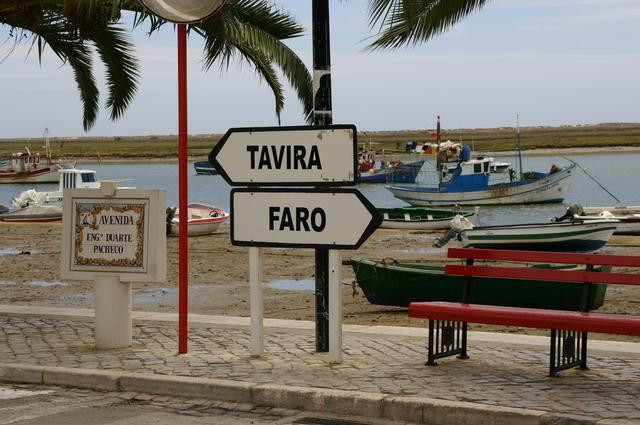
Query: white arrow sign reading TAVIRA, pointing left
[287,156]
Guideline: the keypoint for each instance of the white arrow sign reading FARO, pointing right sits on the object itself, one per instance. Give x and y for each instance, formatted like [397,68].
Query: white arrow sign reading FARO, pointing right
[311,218]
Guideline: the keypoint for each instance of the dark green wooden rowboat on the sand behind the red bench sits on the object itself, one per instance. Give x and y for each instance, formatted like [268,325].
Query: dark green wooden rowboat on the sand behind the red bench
[397,284]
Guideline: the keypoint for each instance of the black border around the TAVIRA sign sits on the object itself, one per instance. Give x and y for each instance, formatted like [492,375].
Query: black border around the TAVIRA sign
[216,149]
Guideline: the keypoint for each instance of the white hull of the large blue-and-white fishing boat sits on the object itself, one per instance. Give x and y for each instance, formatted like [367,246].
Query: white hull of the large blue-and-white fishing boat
[550,189]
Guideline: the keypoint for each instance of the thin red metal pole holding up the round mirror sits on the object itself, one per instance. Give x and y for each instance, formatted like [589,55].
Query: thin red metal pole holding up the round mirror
[183,250]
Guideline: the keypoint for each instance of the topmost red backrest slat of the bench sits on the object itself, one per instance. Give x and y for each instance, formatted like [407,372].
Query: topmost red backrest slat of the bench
[545,257]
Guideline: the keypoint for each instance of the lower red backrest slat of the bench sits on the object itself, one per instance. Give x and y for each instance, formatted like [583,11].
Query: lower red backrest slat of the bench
[543,274]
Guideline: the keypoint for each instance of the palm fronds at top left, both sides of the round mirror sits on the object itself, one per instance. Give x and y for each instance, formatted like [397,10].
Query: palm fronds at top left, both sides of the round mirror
[251,31]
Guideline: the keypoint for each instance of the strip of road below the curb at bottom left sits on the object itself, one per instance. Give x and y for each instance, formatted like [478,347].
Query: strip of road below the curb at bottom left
[34,405]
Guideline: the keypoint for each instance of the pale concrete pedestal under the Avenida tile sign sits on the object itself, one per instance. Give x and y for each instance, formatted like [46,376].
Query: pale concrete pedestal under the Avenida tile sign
[113,312]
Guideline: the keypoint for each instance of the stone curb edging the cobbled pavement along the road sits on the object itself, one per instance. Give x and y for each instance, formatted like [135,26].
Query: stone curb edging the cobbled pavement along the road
[354,403]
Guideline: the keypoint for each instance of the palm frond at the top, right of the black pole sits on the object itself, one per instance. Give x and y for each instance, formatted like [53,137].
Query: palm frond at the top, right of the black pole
[411,22]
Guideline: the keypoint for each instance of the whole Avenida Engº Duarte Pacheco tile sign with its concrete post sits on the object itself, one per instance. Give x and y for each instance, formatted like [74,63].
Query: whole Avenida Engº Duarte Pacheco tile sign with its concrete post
[115,237]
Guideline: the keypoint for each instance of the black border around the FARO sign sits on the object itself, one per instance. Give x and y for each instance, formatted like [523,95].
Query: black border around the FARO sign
[374,223]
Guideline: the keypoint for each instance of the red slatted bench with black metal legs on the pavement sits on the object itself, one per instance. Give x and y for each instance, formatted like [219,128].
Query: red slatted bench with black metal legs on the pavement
[569,329]
